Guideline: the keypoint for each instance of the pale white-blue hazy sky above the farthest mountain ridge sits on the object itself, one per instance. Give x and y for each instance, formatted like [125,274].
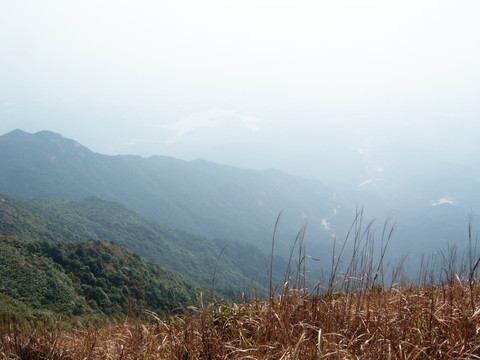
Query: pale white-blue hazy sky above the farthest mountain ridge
[303,86]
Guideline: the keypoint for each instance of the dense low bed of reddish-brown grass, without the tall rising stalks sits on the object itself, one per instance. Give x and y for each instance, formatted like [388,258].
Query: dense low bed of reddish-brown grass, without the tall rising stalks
[435,322]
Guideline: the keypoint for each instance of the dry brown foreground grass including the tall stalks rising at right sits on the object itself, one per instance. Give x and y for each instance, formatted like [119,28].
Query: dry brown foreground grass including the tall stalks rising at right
[355,317]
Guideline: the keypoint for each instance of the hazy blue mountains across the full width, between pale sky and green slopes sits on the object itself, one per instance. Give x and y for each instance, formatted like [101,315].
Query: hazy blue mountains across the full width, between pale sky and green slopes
[223,202]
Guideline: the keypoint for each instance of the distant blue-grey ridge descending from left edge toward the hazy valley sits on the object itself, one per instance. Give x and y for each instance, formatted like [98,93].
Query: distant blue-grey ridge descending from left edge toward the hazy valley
[197,196]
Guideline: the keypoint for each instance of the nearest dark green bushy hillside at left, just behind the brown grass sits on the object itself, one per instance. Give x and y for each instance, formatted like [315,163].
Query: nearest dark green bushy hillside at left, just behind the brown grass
[40,280]
